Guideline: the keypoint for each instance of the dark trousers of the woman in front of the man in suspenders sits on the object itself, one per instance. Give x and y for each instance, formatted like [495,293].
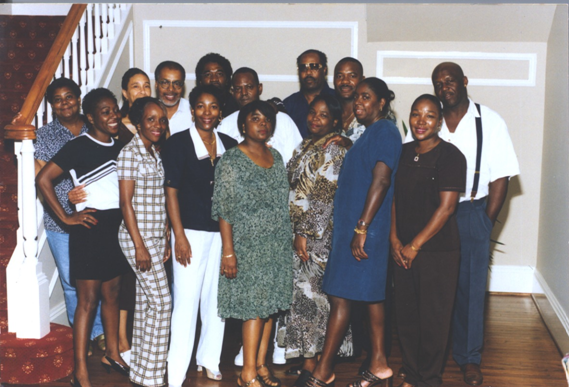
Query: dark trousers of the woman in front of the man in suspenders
[424,297]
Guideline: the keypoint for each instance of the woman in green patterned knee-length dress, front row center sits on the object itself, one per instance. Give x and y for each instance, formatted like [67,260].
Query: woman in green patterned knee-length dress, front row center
[251,195]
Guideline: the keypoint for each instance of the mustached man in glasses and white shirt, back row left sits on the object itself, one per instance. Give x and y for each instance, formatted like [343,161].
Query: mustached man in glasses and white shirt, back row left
[169,77]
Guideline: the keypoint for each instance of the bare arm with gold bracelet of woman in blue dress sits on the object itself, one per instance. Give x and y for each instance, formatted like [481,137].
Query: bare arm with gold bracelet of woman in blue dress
[381,180]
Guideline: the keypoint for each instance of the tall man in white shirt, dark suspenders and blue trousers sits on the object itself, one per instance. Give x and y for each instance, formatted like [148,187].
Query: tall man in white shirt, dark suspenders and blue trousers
[482,135]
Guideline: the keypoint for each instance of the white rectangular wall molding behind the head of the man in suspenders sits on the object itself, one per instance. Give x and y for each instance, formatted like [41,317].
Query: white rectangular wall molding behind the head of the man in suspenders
[531,58]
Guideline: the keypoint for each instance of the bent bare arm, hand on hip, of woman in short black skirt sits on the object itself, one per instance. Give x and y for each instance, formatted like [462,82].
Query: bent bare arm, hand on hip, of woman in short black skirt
[44,181]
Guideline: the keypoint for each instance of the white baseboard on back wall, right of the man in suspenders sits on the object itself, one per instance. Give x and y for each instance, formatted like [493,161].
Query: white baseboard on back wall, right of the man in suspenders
[511,279]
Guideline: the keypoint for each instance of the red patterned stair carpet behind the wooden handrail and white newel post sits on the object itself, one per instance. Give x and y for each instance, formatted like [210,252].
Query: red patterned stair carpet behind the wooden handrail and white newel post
[24,44]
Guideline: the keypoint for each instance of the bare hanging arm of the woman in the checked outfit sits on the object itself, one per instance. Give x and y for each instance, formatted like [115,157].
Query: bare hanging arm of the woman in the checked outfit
[126,192]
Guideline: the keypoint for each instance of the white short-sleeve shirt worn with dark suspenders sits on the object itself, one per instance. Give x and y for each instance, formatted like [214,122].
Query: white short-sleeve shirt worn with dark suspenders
[498,158]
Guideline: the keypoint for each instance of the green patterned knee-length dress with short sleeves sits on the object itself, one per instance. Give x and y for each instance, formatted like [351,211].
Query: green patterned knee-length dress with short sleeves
[254,200]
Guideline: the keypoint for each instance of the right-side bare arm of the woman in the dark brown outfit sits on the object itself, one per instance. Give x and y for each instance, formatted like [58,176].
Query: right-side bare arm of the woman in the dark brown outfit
[448,203]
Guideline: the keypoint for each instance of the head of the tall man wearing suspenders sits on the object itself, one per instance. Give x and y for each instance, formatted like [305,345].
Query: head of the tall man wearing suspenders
[449,85]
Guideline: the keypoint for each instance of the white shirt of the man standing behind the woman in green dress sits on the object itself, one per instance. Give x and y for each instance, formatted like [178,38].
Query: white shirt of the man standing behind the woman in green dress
[285,139]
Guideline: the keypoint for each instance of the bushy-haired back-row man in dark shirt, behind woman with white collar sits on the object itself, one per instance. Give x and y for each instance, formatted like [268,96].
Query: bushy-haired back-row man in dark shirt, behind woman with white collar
[216,70]
